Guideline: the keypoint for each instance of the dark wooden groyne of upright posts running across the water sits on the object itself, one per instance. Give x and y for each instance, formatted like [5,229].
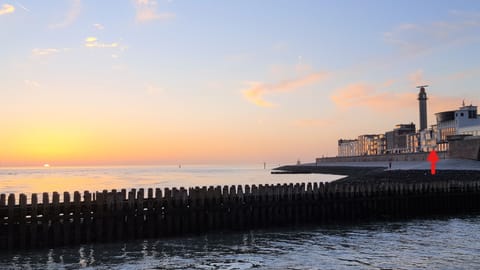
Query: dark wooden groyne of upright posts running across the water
[122,215]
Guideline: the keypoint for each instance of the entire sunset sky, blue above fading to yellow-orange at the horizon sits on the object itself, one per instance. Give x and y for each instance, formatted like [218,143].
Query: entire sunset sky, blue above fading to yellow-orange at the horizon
[159,82]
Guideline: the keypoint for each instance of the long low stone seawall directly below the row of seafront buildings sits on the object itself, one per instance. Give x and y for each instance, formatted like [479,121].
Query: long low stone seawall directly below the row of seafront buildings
[390,157]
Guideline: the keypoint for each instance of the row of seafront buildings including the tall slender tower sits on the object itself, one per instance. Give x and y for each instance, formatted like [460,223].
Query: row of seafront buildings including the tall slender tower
[450,126]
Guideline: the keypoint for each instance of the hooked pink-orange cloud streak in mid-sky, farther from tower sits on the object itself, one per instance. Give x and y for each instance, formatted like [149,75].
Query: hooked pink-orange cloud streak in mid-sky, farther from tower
[257,90]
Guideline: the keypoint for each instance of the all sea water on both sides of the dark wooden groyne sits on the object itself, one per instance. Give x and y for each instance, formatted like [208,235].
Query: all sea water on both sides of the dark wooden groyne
[443,242]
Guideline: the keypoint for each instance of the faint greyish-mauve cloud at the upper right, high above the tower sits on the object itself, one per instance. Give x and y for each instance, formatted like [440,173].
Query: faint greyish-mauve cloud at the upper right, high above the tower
[460,28]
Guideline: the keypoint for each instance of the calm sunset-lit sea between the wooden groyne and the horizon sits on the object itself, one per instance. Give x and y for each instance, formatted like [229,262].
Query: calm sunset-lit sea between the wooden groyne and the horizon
[60,179]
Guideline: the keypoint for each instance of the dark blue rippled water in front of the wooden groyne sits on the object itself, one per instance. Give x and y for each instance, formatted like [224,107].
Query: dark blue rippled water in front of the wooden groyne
[429,243]
